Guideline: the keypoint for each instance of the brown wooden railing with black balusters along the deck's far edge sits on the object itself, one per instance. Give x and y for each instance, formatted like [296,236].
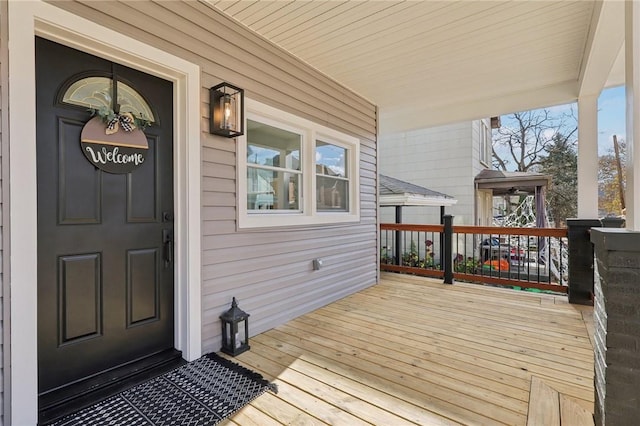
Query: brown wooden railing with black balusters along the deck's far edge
[516,257]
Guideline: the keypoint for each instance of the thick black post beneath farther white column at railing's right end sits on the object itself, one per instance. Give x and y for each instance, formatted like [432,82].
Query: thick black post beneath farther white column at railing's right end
[581,276]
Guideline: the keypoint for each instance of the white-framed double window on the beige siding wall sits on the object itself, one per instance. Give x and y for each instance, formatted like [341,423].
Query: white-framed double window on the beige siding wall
[292,171]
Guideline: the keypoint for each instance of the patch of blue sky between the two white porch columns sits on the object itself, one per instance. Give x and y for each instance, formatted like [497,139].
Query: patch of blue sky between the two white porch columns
[611,118]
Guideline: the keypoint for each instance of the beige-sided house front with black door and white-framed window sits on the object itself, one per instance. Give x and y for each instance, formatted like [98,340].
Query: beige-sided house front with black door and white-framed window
[100,269]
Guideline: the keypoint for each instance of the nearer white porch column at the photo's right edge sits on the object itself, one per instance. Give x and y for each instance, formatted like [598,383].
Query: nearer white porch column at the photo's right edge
[632,86]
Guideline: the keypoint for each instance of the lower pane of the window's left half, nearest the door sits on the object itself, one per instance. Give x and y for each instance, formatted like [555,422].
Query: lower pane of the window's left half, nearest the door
[272,190]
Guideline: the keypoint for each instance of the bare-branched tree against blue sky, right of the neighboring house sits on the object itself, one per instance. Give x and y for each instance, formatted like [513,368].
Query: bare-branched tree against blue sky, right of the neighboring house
[525,138]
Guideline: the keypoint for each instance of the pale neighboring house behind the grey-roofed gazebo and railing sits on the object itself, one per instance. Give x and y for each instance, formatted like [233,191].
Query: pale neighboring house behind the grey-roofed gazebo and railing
[444,159]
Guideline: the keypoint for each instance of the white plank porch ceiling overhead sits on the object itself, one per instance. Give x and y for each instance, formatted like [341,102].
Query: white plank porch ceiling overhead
[426,63]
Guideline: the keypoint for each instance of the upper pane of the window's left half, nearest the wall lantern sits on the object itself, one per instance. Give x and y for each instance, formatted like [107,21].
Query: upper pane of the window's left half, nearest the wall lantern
[270,146]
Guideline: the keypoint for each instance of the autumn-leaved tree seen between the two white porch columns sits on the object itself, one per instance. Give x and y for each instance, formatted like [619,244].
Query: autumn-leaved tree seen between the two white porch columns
[609,201]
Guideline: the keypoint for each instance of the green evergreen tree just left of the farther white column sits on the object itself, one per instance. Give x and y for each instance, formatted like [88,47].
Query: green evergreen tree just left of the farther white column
[561,162]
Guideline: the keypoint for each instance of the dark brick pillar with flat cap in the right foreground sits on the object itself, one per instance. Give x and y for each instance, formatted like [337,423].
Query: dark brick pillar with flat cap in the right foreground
[617,326]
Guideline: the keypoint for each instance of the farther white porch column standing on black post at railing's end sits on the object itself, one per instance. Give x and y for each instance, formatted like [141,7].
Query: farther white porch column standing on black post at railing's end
[588,157]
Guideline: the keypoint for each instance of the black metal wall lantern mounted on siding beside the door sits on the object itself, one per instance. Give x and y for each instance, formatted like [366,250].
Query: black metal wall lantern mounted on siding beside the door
[227,110]
